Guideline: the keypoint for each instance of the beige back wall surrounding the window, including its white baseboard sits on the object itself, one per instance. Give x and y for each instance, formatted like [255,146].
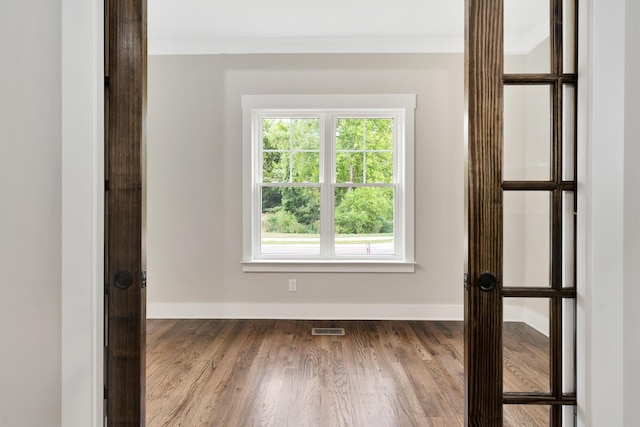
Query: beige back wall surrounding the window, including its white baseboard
[194,187]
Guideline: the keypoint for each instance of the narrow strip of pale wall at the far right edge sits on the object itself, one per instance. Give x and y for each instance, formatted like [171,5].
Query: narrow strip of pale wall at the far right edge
[631,348]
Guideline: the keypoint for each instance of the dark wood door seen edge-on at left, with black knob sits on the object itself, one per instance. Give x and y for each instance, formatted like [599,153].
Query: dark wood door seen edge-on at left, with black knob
[125,281]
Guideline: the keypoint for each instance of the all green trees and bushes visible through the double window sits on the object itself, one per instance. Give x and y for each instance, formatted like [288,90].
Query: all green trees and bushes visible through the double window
[291,153]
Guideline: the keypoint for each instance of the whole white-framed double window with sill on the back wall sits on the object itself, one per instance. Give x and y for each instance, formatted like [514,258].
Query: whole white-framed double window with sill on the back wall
[328,182]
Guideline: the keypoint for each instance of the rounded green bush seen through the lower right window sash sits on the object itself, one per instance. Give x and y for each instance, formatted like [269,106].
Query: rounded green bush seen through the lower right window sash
[364,210]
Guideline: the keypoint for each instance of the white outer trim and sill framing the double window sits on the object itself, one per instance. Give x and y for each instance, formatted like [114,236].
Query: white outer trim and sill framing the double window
[404,262]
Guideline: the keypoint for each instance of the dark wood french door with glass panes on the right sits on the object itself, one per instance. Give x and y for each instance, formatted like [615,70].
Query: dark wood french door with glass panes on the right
[520,270]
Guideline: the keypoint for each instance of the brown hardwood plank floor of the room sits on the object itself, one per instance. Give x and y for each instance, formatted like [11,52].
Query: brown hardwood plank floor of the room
[241,373]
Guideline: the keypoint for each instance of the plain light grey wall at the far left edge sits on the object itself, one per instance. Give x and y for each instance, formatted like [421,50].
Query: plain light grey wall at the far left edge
[30,213]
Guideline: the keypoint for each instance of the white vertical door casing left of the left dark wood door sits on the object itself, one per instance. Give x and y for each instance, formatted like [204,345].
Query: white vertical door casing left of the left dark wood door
[82,160]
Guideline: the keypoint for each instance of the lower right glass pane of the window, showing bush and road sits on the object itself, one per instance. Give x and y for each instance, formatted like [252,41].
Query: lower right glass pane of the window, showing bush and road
[364,221]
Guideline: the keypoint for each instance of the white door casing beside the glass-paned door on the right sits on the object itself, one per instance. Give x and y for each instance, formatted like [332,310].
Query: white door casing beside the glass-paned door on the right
[602,373]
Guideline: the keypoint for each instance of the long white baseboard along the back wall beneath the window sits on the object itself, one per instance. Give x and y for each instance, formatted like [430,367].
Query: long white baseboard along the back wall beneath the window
[303,311]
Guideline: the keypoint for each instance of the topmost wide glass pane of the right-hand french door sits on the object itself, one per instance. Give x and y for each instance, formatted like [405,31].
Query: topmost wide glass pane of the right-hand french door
[526,36]
